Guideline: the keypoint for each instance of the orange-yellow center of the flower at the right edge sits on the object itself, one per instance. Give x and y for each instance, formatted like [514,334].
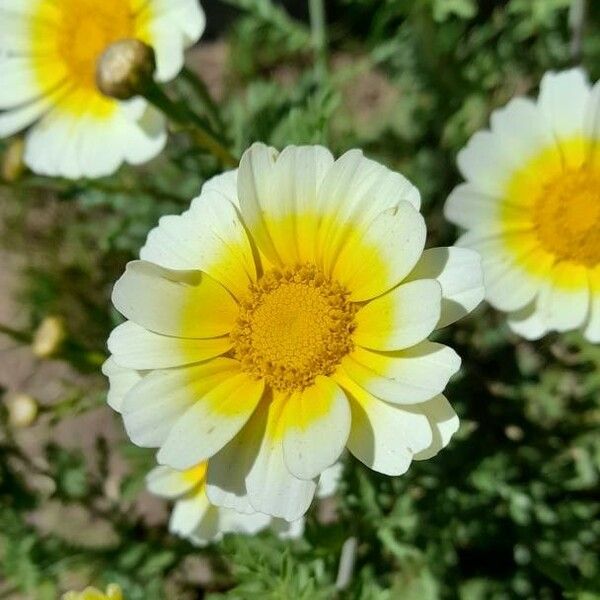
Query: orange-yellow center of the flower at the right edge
[566,216]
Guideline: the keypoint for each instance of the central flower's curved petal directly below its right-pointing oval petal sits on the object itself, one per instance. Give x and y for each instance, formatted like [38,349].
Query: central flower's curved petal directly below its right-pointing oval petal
[404,377]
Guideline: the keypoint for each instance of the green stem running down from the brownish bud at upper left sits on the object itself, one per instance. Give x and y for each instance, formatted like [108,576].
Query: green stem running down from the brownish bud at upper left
[189,121]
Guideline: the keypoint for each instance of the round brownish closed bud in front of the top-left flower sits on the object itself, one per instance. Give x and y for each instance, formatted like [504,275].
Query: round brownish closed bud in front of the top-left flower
[125,68]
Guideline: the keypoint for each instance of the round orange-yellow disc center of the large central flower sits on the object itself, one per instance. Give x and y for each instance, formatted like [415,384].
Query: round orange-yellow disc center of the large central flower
[295,324]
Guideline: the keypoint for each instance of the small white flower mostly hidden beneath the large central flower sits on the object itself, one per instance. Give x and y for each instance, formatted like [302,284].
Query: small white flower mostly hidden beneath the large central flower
[195,518]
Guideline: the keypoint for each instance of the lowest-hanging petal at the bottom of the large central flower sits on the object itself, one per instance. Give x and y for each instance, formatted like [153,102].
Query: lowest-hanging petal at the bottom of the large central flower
[272,489]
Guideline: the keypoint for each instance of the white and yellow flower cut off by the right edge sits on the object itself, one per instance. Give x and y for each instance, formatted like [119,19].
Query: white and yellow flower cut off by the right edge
[531,205]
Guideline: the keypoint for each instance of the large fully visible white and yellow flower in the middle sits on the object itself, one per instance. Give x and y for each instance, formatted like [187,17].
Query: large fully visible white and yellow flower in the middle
[285,316]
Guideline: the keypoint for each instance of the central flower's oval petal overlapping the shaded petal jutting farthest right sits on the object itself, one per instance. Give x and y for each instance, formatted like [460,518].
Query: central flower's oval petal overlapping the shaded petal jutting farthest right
[401,318]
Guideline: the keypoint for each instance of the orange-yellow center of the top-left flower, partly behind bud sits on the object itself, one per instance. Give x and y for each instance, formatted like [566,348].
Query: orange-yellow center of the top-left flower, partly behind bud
[85,29]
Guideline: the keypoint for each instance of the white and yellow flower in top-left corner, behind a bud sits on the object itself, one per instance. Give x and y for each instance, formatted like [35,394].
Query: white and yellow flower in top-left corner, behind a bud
[48,55]
